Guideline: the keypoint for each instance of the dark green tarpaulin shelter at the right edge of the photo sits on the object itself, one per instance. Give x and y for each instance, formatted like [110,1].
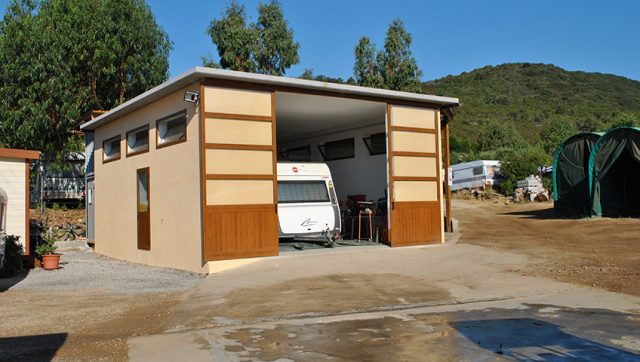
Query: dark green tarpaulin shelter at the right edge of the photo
[615,173]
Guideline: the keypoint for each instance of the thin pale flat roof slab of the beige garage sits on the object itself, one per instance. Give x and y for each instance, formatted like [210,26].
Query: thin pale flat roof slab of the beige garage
[196,74]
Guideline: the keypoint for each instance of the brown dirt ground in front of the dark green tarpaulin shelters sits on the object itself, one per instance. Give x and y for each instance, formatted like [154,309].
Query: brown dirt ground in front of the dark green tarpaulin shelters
[599,252]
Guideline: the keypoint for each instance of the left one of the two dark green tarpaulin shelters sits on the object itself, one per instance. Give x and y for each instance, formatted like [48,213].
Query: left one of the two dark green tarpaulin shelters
[571,175]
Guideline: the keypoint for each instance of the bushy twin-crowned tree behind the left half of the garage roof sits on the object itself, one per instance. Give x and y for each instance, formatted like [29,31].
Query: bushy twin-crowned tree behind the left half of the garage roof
[265,47]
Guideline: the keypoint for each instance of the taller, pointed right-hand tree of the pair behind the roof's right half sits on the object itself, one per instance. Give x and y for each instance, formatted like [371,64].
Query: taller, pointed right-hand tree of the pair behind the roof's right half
[398,67]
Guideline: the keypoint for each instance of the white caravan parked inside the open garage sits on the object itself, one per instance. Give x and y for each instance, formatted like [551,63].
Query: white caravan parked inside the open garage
[307,202]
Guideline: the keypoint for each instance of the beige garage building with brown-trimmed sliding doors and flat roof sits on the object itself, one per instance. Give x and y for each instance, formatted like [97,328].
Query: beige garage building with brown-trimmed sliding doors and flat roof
[185,174]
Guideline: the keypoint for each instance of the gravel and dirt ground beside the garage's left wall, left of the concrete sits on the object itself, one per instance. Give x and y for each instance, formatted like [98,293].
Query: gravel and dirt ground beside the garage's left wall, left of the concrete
[87,309]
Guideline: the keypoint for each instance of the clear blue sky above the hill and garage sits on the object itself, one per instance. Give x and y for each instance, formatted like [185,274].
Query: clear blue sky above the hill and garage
[450,37]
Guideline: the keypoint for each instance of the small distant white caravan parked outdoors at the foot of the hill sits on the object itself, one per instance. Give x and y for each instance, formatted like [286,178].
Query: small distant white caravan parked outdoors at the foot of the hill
[472,174]
